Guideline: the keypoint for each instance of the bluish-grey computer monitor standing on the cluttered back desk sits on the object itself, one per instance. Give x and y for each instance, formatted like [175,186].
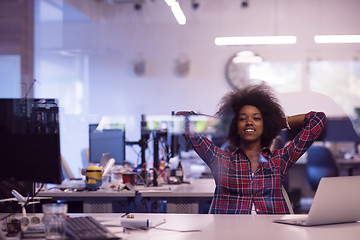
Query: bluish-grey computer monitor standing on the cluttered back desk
[103,141]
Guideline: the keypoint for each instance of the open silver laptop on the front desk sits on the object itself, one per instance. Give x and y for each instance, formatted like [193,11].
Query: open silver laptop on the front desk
[337,200]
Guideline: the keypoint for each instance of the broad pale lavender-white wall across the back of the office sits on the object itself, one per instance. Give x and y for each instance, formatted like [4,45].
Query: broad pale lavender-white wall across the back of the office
[86,56]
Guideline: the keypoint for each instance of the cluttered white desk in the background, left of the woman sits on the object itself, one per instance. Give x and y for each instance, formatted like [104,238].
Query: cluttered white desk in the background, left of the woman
[183,198]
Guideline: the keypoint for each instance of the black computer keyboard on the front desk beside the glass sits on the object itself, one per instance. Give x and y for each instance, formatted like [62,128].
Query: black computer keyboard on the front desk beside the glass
[87,228]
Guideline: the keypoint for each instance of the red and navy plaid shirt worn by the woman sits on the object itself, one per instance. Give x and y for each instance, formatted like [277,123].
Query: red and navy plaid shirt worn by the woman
[236,188]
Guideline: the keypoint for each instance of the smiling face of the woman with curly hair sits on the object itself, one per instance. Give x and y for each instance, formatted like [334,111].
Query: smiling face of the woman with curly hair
[250,124]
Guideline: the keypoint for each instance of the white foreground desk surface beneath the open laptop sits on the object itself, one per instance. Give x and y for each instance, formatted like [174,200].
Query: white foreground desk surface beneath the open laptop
[211,227]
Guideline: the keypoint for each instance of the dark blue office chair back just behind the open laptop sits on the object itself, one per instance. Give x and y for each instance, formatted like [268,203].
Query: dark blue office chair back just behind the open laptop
[320,163]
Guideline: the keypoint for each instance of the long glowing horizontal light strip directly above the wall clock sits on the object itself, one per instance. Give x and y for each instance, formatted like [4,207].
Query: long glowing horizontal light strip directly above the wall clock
[255,40]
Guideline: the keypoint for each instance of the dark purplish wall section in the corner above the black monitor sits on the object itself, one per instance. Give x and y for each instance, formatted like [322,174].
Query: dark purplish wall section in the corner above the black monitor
[17,43]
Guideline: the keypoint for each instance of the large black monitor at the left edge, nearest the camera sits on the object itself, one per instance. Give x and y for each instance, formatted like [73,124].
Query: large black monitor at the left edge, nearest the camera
[29,140]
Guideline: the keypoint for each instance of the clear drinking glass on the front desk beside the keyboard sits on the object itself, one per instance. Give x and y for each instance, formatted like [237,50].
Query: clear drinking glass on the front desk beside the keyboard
[54,220]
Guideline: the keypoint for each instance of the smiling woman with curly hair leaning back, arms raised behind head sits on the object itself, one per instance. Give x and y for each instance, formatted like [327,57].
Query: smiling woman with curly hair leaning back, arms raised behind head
[248,175]
